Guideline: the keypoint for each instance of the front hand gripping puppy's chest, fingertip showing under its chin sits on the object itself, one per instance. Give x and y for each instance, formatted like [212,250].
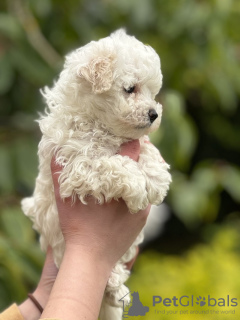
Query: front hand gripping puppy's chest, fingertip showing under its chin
[106,231]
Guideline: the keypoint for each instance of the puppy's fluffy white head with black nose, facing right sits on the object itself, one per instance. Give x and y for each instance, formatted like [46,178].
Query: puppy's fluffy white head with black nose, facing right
[114,81]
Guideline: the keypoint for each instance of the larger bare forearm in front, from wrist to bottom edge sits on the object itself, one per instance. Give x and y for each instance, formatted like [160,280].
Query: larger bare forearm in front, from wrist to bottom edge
[79,287]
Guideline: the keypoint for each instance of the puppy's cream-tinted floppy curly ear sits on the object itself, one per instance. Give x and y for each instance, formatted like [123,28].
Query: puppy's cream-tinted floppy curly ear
[99,72]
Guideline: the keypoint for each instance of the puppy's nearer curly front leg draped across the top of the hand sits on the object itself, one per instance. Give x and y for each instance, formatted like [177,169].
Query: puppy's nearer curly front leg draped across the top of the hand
[106,178]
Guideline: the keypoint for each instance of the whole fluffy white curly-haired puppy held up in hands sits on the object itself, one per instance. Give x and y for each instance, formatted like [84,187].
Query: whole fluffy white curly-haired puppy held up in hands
[104,97]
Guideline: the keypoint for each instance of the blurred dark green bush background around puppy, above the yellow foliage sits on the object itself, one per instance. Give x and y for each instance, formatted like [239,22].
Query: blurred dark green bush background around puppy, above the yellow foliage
[198,42]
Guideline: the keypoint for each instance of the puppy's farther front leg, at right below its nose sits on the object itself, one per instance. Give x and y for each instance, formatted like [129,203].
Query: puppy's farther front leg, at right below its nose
[155,170]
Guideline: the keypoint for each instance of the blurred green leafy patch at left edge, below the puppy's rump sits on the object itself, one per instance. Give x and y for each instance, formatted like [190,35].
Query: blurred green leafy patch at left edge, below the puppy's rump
[20,257]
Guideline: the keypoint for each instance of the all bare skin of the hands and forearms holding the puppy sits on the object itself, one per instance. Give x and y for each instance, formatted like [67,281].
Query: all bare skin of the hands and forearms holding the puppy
[96,237]
